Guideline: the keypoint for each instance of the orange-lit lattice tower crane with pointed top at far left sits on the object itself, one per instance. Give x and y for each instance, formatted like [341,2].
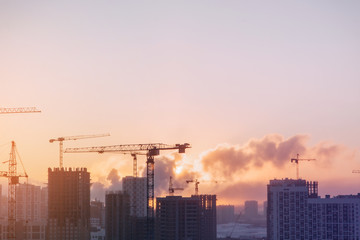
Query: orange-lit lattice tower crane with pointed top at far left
[13,179]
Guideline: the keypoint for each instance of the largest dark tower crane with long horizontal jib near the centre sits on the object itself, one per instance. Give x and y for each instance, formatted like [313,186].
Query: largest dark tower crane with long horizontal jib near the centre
[151,150]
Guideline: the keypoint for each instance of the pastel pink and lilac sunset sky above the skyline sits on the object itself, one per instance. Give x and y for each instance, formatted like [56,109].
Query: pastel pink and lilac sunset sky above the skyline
[249,84]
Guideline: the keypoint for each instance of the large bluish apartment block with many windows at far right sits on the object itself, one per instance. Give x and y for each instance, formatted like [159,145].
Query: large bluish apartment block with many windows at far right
[295,211]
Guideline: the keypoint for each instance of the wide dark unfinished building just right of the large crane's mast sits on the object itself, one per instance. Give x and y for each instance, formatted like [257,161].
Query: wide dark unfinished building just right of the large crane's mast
[186,217]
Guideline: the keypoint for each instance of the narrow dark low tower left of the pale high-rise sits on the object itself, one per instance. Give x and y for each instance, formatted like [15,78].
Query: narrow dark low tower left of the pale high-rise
[117,216]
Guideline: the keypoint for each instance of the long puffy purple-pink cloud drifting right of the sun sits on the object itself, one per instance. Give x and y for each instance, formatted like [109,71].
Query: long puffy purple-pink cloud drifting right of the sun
[230,160]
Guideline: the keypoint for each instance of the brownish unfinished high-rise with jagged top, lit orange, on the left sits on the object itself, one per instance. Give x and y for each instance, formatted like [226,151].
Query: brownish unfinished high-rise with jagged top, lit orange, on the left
[69,204]
